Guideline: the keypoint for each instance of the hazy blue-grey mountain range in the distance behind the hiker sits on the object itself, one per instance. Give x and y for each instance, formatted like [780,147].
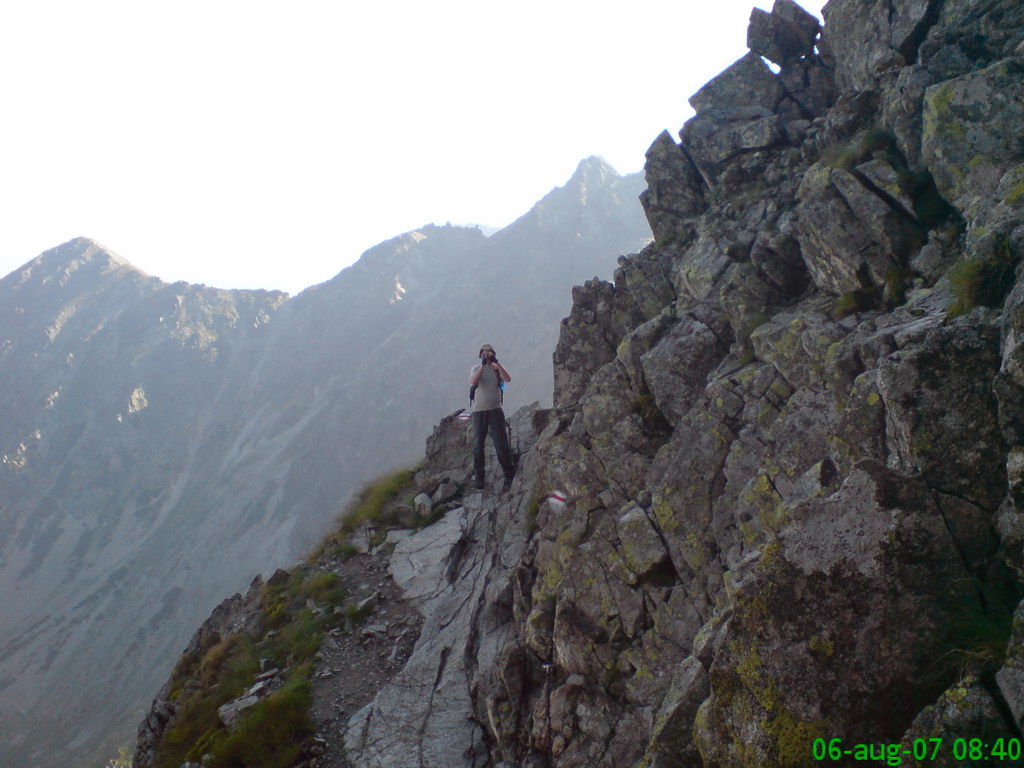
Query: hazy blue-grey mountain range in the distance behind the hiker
[160,444]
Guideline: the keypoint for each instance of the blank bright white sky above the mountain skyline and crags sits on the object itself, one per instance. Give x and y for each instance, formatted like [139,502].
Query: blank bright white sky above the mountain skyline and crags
[259,145]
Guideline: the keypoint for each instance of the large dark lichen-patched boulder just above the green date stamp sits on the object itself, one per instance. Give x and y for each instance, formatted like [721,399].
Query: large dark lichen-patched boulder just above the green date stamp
[834,631]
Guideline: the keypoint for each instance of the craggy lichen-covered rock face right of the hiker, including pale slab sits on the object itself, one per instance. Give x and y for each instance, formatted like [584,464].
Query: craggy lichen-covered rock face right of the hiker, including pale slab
[778,499]
